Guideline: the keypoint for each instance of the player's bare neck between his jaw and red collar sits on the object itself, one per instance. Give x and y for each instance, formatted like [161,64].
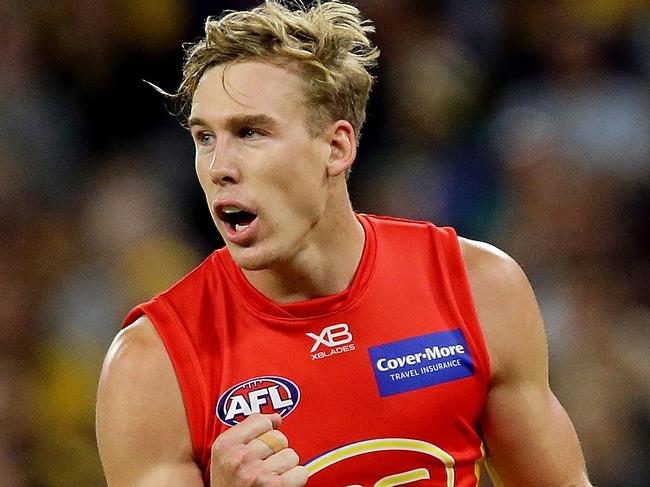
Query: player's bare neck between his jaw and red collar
[323,268]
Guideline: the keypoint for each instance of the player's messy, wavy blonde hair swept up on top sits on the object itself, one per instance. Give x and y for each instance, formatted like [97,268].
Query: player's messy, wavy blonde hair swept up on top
[327,42]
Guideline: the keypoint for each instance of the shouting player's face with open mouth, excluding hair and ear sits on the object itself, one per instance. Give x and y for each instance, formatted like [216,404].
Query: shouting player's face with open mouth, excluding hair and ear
[264,176]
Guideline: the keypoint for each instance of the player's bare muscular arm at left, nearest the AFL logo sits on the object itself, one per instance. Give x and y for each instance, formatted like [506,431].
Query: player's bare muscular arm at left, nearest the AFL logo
[142,430]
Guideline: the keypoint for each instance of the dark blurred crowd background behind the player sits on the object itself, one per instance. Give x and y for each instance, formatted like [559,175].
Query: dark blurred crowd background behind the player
[524,123]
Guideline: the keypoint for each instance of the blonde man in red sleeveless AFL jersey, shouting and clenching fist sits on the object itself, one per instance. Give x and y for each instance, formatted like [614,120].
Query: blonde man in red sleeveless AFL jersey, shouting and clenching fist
[321,346]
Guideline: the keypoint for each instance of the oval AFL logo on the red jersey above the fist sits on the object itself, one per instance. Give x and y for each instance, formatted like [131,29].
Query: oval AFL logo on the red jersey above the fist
[259,395]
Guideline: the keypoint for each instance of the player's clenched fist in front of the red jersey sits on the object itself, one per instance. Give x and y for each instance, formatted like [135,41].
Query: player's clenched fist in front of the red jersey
[254,453]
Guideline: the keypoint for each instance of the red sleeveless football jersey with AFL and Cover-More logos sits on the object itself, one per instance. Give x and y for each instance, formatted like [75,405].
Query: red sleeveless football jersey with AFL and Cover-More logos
[380,385]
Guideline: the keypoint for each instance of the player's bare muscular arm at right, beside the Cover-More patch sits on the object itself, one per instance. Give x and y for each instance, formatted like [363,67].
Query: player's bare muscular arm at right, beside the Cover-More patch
[529,437]
